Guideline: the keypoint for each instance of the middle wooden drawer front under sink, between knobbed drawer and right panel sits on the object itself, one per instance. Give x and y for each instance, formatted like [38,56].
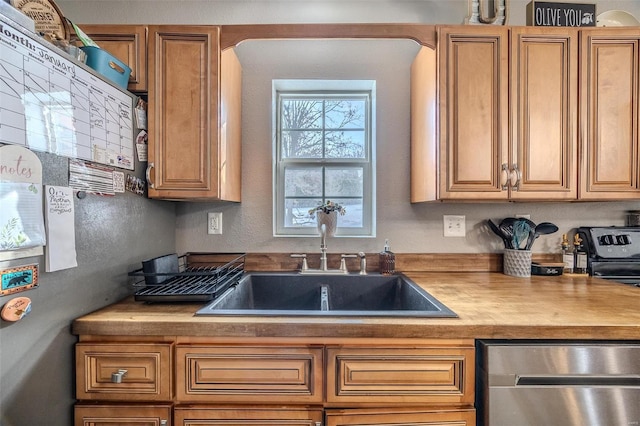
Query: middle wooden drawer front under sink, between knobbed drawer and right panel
[234,374]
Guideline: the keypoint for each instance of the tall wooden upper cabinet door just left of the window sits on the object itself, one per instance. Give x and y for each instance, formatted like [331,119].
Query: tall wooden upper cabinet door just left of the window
[184,76]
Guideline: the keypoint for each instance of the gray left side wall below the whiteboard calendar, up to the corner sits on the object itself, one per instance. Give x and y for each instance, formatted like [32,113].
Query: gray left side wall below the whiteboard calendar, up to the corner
[113,234]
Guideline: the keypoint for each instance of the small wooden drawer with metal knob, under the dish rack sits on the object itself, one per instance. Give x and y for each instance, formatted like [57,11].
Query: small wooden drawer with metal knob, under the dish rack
[147,377]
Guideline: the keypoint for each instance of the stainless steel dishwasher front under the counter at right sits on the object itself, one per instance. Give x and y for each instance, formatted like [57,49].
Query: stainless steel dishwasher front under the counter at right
[546,383]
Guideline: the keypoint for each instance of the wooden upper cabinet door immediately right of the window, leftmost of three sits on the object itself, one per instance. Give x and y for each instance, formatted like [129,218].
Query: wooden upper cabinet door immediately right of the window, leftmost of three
[474,81]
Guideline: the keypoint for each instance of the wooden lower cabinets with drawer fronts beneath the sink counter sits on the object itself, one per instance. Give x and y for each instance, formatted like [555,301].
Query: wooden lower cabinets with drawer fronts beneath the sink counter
[333,382]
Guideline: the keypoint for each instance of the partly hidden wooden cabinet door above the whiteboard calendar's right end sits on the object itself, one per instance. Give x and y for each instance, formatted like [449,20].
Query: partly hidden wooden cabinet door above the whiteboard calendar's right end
[127,43]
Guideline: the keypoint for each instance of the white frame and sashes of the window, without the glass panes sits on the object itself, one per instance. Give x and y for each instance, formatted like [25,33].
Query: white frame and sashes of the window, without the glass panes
[326,89]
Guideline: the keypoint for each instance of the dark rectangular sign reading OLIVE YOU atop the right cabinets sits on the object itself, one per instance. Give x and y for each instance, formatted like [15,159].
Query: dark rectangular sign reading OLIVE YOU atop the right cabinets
[551,14]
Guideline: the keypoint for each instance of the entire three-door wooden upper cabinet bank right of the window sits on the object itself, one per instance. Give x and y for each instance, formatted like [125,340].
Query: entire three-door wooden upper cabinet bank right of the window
[529,113]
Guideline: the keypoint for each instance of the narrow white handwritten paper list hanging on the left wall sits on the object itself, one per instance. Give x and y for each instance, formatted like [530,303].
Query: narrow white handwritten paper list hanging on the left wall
[60,251]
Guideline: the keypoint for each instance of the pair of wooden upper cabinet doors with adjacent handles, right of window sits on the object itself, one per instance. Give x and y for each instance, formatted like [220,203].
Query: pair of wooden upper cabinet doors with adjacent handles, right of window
[508,113]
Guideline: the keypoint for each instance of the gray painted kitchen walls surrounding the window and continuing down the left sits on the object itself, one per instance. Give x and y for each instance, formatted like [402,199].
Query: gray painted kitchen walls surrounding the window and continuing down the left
[114,234]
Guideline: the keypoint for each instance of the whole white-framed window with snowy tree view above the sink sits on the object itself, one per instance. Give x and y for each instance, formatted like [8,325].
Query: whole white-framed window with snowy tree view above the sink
[324,152]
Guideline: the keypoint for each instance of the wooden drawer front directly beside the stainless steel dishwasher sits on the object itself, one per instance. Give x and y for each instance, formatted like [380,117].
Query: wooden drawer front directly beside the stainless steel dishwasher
[400,375]
